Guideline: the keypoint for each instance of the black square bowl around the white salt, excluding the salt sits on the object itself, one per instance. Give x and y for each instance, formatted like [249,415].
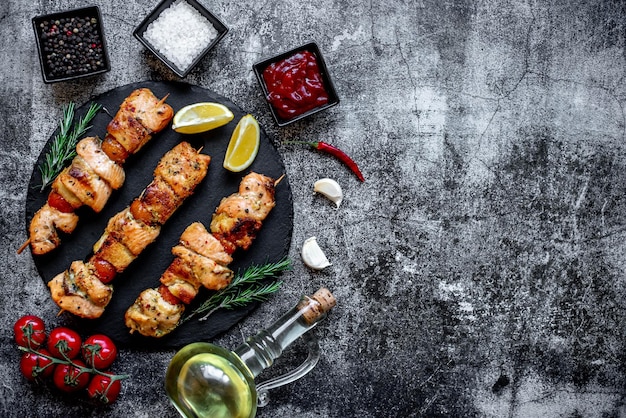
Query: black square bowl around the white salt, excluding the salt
[140,31]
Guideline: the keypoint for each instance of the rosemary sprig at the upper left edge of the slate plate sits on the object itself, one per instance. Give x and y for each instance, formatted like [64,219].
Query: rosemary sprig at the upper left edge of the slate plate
[63,147]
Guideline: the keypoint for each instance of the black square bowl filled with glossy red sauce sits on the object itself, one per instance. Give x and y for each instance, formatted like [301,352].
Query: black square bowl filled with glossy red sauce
[296,84]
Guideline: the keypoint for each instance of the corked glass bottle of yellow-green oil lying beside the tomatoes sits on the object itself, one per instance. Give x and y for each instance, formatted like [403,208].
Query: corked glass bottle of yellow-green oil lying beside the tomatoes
[204,380]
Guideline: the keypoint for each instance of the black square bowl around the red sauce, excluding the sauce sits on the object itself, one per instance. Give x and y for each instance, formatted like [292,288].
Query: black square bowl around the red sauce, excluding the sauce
[311,47]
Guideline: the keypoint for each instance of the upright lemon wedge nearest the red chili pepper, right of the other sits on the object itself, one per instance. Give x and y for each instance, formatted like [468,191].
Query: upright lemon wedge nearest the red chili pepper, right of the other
[244,145]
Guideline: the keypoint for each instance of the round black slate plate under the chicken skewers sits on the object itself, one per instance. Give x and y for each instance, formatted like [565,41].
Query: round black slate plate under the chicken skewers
[271,244]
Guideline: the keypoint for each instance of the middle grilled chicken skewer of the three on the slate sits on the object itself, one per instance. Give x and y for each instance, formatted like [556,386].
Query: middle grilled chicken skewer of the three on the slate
[85,289]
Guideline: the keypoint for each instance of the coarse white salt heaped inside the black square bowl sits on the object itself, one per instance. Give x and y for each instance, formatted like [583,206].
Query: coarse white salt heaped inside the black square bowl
[180,33]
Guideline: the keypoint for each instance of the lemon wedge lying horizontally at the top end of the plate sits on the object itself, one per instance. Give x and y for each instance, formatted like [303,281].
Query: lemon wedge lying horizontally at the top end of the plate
[201,117]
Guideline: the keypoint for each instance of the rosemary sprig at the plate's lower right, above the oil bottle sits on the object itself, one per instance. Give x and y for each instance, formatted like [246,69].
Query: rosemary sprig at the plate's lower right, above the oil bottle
[244,289]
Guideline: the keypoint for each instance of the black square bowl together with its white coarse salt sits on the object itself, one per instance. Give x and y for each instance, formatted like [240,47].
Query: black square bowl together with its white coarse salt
[180,33]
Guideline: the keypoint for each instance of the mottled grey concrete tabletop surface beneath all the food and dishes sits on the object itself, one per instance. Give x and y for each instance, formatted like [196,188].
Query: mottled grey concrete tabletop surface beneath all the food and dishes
[480,269]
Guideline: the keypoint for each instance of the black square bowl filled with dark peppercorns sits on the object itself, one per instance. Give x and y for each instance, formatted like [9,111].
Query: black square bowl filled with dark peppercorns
[71,44]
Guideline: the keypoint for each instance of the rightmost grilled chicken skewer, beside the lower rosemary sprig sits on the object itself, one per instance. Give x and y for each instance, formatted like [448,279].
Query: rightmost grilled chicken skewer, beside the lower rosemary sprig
[202,257]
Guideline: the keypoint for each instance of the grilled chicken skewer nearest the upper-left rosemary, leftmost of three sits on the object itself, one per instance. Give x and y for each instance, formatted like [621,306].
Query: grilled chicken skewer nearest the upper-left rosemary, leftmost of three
[96,170]
